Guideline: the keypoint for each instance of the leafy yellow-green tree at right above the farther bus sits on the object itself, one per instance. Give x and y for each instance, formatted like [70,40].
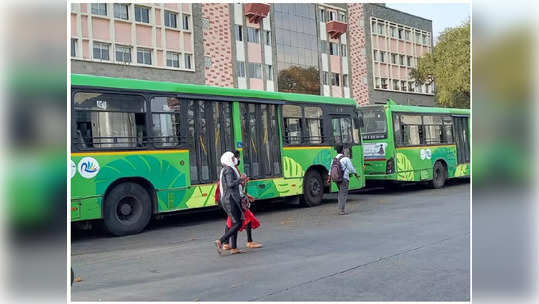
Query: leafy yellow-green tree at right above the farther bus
[448,65]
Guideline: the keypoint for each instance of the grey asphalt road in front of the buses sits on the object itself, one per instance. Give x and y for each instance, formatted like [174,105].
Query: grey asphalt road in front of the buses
[405,245]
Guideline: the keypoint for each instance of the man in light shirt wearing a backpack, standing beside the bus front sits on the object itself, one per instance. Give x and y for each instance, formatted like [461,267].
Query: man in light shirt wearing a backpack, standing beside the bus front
[341,168]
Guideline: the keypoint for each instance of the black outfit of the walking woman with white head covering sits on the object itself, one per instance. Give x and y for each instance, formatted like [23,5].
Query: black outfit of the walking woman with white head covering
[231,203]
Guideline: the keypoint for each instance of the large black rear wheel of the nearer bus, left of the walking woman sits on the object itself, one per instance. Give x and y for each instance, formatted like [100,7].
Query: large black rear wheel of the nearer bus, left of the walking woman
[127,209]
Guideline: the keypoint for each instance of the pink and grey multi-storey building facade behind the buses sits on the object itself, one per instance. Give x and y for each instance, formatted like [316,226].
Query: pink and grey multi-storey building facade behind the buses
[363,51]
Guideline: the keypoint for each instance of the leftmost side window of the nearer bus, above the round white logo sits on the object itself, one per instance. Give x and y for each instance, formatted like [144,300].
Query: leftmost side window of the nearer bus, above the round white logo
[108,121]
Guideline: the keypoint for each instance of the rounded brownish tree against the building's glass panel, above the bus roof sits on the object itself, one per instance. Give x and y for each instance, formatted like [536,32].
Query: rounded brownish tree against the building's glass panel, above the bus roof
[300,80]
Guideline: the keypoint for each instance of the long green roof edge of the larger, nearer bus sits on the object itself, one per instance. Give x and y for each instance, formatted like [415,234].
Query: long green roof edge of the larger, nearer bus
[173,87]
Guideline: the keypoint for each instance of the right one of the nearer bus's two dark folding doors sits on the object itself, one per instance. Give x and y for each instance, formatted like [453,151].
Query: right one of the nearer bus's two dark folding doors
[260,140]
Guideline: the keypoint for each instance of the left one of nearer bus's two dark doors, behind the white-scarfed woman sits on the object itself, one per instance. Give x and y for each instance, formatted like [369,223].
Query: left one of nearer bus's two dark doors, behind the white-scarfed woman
[209,125]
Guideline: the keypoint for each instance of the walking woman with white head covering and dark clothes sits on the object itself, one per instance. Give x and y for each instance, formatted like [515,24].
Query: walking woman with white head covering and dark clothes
[229,187]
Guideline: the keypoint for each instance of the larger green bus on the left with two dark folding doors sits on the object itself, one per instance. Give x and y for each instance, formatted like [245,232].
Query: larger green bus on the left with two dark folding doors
[141,148]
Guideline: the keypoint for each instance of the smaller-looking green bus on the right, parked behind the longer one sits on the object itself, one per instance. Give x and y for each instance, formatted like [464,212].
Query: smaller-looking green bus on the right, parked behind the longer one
[411,143]
